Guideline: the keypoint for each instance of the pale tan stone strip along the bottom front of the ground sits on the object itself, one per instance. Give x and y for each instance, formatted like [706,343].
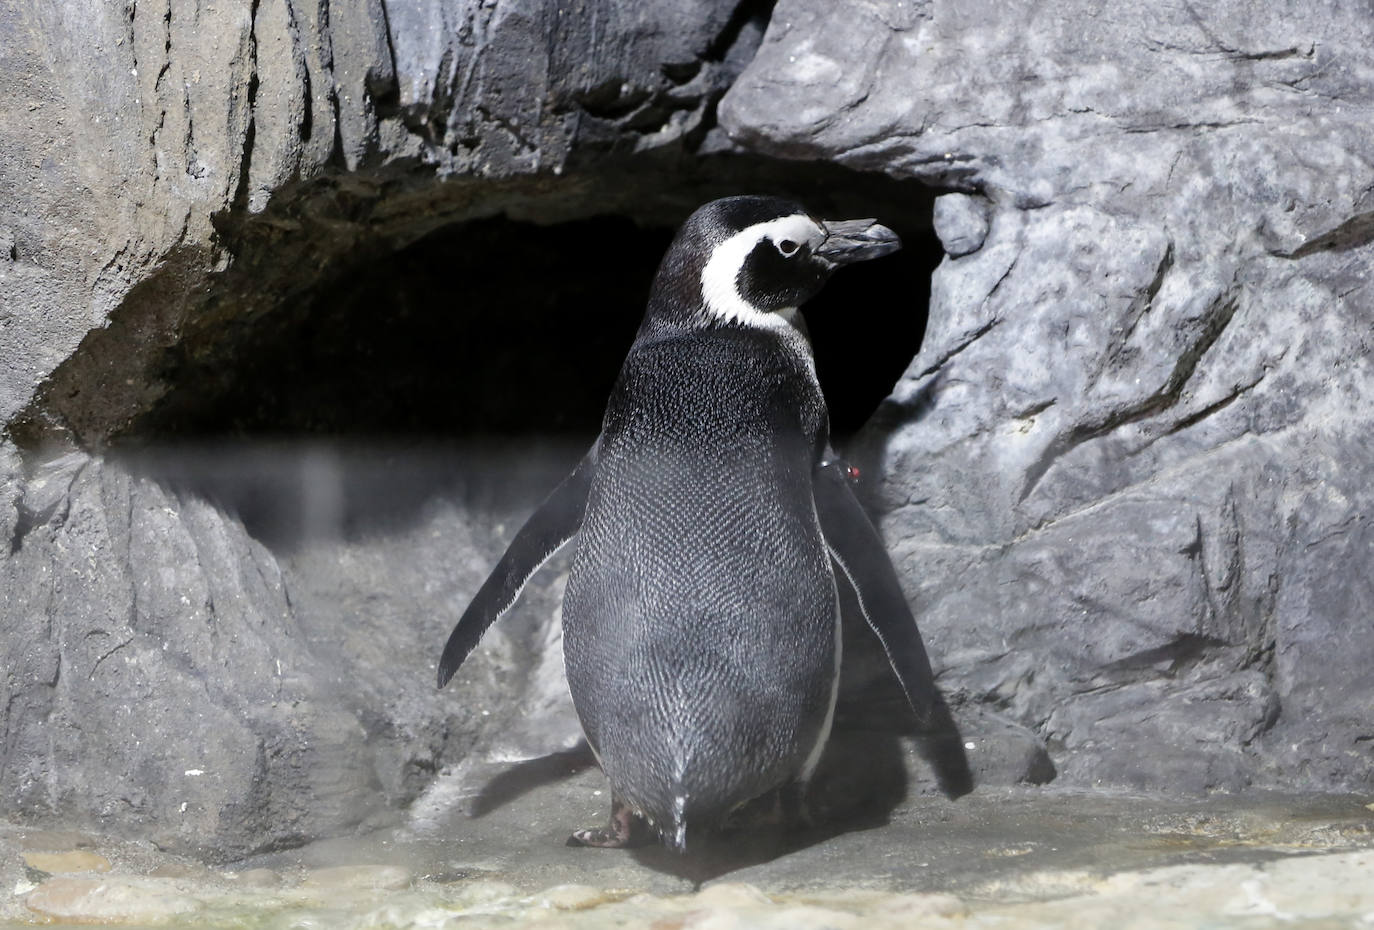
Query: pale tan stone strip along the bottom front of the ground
[1320,889]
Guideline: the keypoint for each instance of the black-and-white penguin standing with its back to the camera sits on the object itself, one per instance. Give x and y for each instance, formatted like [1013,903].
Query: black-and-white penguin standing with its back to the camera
[714,525]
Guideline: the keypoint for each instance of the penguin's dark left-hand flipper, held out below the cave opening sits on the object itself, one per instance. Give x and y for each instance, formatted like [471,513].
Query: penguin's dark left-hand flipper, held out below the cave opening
[549,528]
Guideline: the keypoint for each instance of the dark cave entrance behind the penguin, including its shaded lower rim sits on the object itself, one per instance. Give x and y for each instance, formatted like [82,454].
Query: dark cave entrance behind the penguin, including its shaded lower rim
[498,334]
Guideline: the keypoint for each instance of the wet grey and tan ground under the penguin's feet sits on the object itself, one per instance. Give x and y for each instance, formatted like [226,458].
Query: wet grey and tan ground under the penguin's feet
[1002,858]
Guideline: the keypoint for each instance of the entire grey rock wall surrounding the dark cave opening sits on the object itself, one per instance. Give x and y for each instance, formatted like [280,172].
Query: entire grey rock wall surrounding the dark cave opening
[1126,479]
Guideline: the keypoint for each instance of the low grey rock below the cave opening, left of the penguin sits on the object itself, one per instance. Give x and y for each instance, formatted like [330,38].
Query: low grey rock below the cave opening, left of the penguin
[161,672]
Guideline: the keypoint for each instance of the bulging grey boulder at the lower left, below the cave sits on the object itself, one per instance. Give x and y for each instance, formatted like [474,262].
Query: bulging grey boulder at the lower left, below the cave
[164,688]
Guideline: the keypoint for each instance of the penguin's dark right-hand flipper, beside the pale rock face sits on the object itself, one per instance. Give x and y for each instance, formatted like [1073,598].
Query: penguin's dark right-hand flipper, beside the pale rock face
[858,550]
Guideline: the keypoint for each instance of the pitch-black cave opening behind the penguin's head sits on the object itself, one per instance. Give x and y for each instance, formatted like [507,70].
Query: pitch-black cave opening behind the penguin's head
[498,329]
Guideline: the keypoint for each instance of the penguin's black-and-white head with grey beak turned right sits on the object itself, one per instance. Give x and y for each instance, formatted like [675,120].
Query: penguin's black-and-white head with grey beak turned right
[754,260]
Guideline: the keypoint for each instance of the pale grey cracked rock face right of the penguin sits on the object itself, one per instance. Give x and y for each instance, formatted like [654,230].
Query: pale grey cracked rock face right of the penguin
[1129,473]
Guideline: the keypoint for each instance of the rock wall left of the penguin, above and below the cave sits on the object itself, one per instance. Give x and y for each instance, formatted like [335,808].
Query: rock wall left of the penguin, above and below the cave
[171,174]
